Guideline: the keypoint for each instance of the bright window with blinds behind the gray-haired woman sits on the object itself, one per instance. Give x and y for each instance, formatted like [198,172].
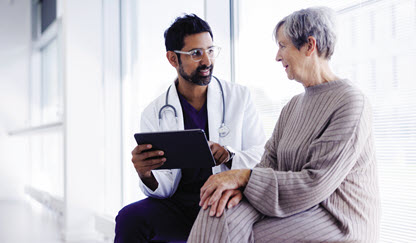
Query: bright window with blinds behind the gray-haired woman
[374,51]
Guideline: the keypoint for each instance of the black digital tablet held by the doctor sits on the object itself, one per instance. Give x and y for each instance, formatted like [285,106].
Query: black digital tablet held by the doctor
[182,149]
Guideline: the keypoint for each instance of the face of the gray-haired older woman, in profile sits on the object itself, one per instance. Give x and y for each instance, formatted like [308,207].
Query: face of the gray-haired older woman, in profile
[293,60]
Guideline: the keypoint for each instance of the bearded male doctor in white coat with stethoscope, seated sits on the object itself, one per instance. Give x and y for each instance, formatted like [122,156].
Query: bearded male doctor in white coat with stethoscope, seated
[195,100]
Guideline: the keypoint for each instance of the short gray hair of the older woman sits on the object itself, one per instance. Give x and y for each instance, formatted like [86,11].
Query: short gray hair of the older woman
[317,22]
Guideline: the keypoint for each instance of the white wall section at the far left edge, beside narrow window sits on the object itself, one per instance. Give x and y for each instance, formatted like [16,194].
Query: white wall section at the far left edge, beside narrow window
[14,69]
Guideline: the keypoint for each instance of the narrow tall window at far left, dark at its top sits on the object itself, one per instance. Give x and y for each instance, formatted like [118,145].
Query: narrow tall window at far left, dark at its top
[46,102]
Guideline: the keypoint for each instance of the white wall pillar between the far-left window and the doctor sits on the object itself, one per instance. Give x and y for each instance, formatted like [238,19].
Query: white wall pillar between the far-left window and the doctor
[82,44]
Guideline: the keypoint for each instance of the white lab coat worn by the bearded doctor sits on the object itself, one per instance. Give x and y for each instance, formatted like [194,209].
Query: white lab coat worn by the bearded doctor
[246,136]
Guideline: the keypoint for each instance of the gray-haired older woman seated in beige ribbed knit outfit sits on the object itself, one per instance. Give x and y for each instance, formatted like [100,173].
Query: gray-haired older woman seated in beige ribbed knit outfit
[317,180]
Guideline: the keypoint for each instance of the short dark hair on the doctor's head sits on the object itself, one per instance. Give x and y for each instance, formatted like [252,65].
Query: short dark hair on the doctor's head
[183,26]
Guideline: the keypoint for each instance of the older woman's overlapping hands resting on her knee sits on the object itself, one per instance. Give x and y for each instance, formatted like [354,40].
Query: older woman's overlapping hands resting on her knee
[214,189]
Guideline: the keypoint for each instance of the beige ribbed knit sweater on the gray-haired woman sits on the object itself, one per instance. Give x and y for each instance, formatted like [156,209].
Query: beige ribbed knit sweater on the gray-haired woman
[320,158]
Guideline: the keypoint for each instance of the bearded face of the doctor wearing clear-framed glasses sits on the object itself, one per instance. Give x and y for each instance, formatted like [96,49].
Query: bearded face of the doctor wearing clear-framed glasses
[200,72]
